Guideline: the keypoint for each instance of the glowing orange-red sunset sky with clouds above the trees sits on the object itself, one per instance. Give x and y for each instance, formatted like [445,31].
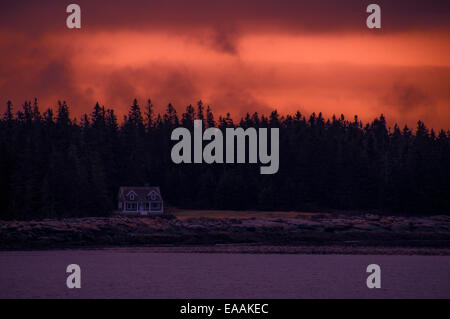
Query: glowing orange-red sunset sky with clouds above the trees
[238,56]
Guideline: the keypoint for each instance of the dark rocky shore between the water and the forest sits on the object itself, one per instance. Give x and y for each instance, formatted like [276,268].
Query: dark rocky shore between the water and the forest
[321,230]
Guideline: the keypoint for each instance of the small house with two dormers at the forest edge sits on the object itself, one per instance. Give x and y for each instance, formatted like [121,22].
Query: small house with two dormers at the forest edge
[140,200]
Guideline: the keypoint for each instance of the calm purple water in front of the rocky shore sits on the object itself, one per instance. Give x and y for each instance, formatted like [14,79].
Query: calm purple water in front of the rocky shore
[139,273]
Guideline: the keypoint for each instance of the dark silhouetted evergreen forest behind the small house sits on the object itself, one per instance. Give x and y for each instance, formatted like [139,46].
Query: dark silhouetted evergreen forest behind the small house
[53,165]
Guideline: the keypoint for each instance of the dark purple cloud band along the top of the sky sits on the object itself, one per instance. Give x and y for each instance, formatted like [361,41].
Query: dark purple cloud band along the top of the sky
[243,15]
